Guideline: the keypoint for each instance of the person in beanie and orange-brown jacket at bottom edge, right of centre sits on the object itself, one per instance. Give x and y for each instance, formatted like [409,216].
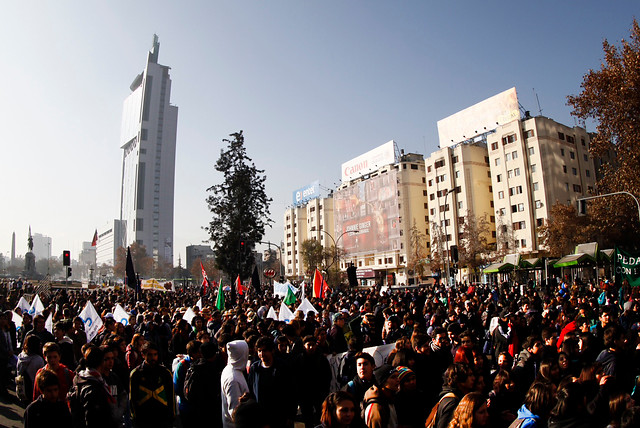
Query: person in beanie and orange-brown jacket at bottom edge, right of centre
[379,409]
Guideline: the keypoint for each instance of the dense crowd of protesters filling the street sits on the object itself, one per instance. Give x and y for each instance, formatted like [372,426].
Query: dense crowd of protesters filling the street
[508,355]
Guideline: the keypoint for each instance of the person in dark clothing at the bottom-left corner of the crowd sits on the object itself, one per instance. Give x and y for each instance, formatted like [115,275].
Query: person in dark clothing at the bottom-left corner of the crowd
[47,411]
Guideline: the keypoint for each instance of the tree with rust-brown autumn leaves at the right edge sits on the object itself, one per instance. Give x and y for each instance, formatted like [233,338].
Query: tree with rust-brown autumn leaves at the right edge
[610,96]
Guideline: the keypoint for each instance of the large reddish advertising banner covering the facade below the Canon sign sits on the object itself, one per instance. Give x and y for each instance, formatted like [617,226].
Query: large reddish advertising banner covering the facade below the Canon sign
[367,214]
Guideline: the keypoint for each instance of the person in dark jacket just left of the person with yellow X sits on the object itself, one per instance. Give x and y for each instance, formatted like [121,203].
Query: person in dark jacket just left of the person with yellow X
[90,397]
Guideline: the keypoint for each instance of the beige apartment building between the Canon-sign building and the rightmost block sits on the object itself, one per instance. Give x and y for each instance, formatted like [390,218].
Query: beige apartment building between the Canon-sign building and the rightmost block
[459,187]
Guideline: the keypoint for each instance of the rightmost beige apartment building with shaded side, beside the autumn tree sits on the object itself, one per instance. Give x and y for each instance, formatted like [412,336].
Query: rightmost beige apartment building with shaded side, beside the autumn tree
[535,162]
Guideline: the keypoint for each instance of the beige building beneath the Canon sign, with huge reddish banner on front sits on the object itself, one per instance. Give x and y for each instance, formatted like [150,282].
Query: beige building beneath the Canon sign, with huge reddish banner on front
[376,212]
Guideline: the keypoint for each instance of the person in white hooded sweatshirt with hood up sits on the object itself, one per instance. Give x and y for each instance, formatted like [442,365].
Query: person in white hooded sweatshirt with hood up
[232,381]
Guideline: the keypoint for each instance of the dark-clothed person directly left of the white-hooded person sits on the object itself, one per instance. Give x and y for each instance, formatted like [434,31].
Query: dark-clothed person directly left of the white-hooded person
[201,387]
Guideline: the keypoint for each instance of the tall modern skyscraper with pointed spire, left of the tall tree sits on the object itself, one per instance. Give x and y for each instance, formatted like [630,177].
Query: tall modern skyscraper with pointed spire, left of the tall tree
[148,140]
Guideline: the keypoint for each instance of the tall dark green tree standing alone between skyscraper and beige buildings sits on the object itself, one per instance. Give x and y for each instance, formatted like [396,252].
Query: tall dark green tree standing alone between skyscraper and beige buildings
[240,209]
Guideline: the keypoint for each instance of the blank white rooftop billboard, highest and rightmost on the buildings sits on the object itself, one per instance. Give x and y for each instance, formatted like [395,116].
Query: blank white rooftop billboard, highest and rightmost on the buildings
[479,118]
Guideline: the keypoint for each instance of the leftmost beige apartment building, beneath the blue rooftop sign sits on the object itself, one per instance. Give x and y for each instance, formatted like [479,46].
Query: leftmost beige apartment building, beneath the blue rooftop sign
[312,219]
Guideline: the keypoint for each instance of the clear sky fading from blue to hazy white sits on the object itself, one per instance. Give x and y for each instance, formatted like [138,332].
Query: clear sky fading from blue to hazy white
[312,84]
